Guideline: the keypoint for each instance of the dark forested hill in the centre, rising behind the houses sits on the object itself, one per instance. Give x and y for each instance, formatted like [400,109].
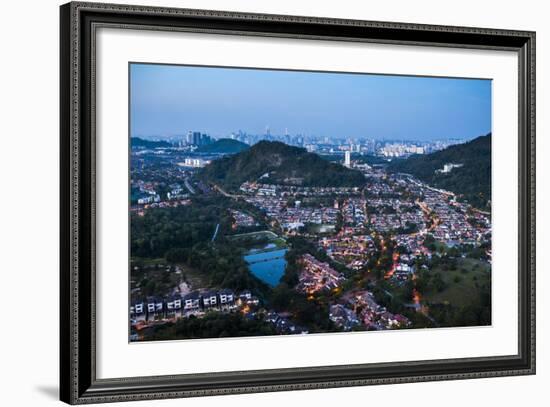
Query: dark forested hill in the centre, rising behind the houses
[283,164]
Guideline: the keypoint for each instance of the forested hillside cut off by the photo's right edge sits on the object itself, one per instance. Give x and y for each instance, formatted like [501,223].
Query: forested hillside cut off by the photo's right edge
[472,181]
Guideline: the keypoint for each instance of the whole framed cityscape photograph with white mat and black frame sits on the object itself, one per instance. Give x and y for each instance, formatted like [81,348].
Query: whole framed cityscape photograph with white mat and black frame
[255,203]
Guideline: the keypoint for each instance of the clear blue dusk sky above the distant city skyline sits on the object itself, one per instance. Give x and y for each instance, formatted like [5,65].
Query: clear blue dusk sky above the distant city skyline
[168,100]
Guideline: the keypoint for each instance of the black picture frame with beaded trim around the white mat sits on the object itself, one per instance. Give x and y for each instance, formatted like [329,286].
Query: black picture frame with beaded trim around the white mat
[78,382]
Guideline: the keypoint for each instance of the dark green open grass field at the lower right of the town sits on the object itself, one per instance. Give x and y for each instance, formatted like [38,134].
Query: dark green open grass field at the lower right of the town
[460,283]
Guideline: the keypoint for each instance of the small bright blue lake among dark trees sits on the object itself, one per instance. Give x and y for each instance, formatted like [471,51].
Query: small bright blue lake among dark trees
[268,265]
